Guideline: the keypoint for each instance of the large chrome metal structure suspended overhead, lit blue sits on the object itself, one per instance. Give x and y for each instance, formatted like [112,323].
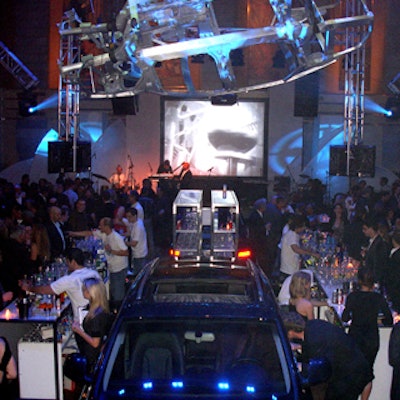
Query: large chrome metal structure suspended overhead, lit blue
[149,32]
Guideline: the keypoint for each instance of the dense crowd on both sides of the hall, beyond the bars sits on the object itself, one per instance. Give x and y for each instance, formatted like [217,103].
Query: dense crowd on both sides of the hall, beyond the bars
[39,221]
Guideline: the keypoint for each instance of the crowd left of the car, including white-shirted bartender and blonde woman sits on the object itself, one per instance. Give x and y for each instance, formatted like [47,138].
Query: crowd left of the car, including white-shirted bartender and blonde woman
[43,222]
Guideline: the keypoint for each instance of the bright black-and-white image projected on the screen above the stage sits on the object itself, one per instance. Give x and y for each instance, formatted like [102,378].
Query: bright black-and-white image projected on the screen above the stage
[216,140]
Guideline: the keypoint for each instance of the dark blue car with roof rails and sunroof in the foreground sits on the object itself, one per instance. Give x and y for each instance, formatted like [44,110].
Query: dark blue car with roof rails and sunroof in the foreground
[197,330]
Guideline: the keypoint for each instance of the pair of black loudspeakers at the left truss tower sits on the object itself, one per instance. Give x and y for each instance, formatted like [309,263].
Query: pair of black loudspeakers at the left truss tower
[60,157]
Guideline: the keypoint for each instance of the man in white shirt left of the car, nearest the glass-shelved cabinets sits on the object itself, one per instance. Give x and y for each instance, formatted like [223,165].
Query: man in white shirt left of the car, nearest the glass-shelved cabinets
[137,240]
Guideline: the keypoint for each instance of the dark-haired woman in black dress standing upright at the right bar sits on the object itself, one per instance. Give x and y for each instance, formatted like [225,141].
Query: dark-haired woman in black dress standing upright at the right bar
[362,308]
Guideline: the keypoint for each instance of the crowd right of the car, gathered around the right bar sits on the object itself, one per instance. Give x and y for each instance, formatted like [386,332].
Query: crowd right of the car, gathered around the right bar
[364,225]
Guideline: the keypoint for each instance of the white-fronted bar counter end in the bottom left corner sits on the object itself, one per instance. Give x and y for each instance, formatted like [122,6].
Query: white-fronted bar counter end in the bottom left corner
[37,342]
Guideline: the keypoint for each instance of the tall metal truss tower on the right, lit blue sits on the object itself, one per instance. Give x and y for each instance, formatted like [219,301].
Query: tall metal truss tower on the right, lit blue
[354,65]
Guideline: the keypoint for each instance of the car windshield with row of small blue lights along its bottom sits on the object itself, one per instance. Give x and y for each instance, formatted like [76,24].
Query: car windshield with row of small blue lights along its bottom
[184,358]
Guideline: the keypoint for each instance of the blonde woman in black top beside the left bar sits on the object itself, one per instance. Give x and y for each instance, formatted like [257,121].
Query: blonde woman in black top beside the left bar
[97,322]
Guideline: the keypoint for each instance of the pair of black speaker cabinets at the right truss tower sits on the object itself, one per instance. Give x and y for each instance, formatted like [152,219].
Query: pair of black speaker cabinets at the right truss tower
[361,161]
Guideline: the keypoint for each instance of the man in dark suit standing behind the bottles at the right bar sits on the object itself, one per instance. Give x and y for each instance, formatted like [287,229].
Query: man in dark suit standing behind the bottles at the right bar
[376,255]
